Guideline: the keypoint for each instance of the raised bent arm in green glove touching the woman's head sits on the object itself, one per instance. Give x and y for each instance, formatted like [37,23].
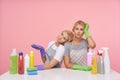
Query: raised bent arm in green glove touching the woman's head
[91,42]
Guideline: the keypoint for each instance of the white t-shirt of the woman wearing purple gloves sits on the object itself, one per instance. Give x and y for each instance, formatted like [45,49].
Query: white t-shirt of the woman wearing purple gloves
[59,50]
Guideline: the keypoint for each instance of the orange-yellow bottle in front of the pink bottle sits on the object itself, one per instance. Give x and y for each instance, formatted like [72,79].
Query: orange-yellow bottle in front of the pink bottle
[94,63]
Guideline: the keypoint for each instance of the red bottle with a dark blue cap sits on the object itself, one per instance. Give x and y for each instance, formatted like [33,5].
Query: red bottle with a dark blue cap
[20,63]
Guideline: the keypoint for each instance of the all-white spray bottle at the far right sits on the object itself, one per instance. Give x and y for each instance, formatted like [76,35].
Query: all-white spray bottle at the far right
[106,60]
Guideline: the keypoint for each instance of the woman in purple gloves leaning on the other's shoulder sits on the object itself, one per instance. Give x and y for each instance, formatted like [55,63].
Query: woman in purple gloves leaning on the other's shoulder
[53,56]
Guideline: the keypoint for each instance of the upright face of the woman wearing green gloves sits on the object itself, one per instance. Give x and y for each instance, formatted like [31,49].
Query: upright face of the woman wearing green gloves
[78,31]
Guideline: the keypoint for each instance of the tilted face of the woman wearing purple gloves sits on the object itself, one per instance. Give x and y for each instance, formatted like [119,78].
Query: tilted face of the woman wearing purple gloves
[62,37]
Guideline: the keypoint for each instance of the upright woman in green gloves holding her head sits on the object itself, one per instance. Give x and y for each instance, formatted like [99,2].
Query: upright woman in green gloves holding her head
[75,56]
